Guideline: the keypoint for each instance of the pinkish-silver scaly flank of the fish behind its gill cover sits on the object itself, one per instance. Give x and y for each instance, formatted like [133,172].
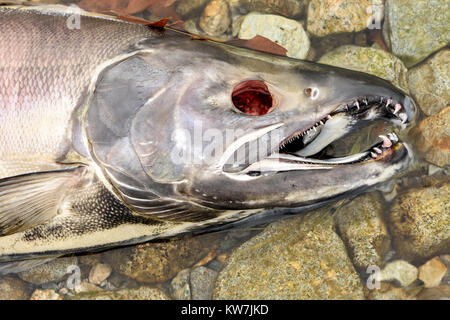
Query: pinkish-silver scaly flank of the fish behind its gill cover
[42,82]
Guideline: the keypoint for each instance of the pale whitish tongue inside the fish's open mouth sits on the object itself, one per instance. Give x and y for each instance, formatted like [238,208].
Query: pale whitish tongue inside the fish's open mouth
[332,130]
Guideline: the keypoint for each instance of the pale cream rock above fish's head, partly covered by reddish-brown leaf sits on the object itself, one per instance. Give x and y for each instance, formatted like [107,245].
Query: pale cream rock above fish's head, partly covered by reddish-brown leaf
[285,32]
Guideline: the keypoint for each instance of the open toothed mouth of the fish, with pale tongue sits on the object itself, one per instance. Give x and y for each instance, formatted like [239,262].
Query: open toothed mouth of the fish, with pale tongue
[303,148]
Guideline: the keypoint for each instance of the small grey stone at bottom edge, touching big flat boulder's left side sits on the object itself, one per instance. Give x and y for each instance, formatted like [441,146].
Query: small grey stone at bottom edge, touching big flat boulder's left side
[202,283]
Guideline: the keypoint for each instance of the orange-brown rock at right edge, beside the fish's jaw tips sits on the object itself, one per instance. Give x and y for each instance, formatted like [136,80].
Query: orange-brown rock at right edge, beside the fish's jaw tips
[432,138]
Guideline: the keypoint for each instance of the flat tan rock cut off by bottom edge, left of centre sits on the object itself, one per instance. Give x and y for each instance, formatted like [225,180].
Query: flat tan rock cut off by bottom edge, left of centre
[141,293]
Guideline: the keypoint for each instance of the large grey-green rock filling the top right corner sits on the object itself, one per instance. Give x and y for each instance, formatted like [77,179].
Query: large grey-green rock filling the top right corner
[415,29]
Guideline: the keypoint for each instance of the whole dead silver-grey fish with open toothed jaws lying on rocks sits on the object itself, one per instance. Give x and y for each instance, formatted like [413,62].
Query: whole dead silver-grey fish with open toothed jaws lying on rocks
[115,133]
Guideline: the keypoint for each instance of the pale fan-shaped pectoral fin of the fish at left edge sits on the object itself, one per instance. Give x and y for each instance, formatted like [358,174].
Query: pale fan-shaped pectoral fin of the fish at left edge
[31,199]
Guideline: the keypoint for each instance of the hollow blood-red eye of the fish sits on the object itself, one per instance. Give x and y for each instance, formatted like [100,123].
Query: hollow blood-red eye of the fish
[252,97]
